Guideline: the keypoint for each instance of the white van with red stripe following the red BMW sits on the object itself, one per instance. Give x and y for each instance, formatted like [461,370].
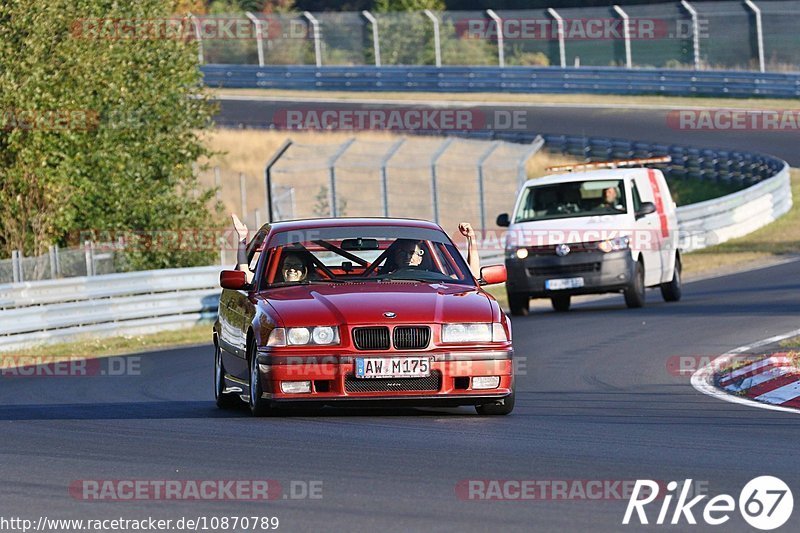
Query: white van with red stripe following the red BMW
[612,230]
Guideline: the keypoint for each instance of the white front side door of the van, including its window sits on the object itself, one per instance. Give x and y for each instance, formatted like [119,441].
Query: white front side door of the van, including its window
[648,235]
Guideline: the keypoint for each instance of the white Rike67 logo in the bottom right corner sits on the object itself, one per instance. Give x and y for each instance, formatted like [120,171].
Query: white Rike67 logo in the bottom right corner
[765,503]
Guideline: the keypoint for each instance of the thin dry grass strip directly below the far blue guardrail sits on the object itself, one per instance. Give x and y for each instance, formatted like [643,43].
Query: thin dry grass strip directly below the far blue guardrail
[533,99]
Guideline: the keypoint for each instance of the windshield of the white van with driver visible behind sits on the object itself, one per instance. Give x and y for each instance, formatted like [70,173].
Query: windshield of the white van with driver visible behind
[572,199]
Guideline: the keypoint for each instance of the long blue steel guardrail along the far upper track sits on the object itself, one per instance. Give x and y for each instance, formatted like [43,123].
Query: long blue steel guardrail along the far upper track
[597,80]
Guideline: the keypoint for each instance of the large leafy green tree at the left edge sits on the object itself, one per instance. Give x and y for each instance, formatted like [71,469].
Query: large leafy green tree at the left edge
[111,127]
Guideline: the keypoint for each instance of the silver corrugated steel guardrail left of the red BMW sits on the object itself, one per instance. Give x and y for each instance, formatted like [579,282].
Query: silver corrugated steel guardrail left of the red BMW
[114,304]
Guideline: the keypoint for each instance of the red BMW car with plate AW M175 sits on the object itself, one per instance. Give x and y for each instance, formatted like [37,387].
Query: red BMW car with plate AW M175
[361,311]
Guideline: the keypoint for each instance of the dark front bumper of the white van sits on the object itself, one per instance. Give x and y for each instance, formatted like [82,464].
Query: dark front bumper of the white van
[601,272]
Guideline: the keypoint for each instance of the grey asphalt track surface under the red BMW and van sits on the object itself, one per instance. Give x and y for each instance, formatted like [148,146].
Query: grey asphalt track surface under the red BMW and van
[597,399]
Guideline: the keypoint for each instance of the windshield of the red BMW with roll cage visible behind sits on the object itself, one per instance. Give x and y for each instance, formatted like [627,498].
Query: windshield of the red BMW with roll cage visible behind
[363,254]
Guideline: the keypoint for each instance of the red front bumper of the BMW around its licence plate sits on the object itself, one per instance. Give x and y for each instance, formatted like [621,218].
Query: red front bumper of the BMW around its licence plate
[332,379]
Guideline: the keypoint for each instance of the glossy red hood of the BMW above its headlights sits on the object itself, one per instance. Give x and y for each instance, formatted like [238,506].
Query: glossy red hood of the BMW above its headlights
[366,303]
